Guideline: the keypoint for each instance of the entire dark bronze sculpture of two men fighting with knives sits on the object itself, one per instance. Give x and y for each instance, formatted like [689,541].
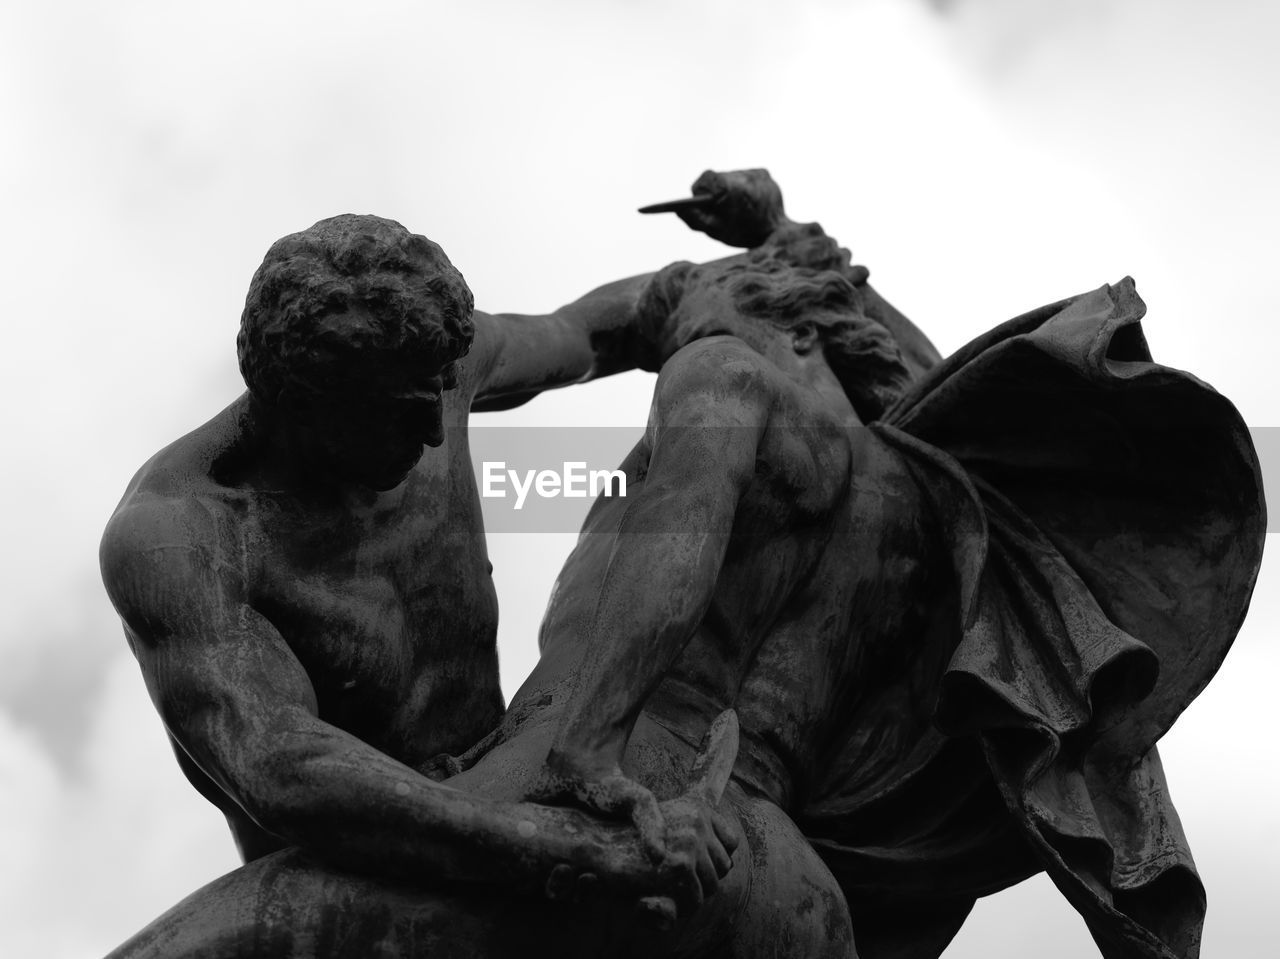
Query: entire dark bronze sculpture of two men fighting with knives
[952,605]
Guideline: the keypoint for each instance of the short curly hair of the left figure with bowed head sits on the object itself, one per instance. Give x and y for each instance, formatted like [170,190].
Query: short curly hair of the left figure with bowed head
[327,298]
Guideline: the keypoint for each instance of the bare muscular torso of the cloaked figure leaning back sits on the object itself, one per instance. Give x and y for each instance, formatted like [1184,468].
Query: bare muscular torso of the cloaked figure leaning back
[801,596]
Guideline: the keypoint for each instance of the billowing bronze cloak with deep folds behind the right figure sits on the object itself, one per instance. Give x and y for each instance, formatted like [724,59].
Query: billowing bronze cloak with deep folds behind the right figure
[1105,523]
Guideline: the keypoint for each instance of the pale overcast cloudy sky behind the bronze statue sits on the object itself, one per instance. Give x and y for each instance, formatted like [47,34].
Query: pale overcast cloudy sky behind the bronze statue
[981,157]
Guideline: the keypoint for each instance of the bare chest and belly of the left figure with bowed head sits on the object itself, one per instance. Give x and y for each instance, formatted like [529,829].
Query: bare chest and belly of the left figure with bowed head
[387,602]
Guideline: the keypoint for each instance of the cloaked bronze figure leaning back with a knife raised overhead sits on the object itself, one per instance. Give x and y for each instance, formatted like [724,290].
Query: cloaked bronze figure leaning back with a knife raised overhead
[953,604]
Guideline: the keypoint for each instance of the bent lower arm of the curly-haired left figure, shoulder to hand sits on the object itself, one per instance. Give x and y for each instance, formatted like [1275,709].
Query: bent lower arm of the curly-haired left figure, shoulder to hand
[237,701]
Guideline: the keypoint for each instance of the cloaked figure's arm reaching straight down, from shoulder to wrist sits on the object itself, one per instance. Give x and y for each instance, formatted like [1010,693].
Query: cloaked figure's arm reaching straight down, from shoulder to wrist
[710,414]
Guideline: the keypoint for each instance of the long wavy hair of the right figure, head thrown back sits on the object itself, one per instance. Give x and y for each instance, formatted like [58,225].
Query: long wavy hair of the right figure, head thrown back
[862,353]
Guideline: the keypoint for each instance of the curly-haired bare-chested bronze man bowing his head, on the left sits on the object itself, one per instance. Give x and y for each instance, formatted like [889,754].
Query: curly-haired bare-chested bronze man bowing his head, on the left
[309,597]
